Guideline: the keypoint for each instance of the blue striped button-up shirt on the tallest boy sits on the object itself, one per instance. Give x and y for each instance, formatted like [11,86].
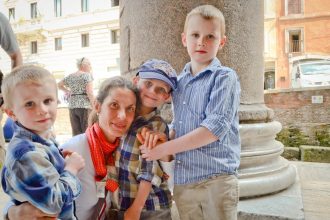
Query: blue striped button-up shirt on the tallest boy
[209,99]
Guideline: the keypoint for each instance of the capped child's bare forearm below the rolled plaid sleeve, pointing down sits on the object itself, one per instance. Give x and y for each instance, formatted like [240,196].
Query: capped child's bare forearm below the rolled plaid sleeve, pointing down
[134,211]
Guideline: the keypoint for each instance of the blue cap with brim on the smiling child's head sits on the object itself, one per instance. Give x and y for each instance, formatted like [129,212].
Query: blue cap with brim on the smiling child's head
[158,69]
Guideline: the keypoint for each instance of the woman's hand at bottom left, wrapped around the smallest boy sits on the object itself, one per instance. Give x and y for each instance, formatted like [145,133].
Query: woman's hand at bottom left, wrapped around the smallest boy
[28,211]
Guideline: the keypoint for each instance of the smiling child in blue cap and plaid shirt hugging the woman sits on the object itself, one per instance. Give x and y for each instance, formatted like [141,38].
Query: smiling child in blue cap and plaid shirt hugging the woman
[143,189]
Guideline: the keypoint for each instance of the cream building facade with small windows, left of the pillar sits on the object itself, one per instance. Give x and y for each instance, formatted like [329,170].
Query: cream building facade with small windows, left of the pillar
[55,33]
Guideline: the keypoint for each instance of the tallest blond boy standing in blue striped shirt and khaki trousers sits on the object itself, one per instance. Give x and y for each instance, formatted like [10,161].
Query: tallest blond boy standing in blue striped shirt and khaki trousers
[205,104]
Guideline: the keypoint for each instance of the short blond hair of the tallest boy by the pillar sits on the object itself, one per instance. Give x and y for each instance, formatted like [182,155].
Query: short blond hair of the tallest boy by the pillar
[208,12]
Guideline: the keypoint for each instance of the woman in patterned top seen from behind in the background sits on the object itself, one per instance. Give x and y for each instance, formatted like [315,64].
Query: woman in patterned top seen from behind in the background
[79,86]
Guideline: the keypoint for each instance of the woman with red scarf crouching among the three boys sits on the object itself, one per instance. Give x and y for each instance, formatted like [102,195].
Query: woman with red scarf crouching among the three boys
[113,113]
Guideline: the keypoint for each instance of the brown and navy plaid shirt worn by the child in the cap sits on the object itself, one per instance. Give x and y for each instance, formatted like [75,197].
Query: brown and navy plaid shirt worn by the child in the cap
[132,168]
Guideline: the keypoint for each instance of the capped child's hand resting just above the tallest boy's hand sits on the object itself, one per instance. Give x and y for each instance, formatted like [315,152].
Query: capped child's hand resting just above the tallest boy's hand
[151,138]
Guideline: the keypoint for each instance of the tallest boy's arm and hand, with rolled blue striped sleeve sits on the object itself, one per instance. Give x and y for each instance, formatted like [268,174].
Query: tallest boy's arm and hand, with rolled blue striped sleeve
[220,113]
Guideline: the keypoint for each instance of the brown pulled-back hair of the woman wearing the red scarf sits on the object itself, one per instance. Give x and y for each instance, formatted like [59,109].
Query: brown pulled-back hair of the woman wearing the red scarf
[105,90]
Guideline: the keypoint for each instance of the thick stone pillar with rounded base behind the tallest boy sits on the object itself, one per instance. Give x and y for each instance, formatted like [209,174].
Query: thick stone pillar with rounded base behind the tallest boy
[152,29]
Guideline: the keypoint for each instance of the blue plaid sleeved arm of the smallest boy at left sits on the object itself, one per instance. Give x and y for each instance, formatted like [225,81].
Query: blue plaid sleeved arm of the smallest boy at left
[33,178]
